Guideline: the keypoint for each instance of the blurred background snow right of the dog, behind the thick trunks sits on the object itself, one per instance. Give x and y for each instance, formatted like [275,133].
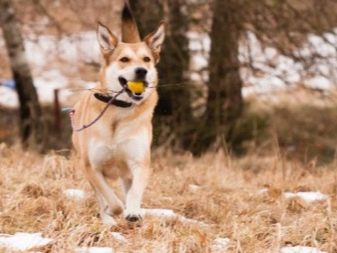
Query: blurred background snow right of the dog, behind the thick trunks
[274,71]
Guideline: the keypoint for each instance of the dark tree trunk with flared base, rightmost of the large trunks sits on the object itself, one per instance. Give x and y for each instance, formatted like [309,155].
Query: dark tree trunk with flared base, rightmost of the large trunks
[224,103]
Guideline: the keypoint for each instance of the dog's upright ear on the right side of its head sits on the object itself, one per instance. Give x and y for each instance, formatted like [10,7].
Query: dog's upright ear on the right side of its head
[155,40]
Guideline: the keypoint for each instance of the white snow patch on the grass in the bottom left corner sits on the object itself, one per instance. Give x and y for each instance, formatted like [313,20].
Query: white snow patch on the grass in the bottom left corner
[23,241]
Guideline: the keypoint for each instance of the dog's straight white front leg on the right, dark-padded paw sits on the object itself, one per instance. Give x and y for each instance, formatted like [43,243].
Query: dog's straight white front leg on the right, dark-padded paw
[140,175]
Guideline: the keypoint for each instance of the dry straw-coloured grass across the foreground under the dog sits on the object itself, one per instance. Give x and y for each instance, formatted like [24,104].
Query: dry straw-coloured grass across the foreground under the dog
[32,200]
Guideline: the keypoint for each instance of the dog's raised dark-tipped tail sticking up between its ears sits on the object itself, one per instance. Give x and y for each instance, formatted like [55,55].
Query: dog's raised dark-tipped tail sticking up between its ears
[130,33]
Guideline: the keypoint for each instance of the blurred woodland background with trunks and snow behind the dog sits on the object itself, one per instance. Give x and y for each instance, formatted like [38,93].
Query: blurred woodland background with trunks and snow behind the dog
[245,76]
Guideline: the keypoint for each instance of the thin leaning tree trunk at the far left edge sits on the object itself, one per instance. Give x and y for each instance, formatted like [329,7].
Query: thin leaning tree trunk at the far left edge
[30,111]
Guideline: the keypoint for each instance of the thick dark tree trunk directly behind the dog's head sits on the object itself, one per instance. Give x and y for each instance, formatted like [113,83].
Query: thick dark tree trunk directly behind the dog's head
[173,112]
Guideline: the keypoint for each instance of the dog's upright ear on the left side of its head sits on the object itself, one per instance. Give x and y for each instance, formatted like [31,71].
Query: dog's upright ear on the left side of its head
[106,39]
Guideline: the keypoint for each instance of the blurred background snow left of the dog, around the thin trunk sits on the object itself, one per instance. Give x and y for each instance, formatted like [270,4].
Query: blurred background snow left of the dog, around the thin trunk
[42,54]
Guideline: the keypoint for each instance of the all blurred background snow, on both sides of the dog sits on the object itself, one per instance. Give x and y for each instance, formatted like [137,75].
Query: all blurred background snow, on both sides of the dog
[274,71]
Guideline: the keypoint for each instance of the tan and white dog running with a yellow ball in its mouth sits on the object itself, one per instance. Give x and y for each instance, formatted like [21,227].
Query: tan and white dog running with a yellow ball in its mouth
[118,145]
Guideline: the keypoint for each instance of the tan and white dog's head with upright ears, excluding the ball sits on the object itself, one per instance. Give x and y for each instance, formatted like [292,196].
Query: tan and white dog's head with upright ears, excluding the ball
[126,62]
